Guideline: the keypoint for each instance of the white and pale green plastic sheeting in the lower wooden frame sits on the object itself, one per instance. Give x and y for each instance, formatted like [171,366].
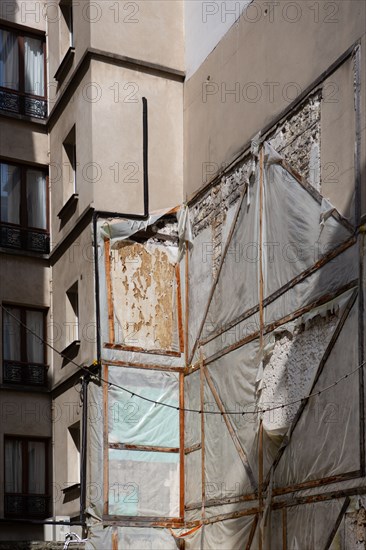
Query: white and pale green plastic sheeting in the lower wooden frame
[142,482]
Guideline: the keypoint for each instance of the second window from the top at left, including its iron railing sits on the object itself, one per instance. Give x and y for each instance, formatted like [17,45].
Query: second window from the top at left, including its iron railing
[23,208]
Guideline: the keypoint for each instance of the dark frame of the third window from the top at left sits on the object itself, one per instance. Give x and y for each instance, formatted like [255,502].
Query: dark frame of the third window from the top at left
[24,362]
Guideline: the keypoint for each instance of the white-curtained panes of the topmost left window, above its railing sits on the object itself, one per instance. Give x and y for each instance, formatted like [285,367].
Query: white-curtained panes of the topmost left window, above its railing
[22,62]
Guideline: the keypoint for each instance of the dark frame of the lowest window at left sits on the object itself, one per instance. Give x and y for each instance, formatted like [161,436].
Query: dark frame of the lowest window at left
[25,440]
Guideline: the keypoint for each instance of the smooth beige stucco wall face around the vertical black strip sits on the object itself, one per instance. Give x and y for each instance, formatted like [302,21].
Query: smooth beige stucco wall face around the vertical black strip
[118,139]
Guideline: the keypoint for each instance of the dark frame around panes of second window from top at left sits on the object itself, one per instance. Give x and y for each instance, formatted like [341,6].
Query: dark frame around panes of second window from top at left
[23,215]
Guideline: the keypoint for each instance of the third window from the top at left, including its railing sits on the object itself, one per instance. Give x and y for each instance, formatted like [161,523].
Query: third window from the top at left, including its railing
[24,355]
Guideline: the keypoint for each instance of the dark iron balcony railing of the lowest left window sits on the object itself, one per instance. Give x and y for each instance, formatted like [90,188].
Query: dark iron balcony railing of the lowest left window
[26,506]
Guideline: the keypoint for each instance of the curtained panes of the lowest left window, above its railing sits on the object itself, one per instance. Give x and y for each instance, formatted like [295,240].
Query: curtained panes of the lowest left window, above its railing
[25,466]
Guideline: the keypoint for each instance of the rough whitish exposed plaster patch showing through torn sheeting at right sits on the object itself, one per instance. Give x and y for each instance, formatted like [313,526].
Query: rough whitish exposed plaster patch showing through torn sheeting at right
[290,370]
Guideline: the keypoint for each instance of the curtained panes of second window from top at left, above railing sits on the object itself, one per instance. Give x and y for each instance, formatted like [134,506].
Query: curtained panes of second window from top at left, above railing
[23,196]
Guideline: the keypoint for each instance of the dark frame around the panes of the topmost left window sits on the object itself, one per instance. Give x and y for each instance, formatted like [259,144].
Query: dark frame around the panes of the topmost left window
[21,33]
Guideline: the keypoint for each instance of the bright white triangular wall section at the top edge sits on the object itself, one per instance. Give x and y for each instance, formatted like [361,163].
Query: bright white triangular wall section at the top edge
[206,22]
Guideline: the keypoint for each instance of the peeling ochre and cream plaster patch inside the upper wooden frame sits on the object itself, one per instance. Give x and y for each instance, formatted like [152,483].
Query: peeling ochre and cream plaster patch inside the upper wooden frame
[143,282]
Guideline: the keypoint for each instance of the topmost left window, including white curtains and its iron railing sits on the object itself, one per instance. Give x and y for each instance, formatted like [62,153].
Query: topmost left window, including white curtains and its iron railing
[22,73]
